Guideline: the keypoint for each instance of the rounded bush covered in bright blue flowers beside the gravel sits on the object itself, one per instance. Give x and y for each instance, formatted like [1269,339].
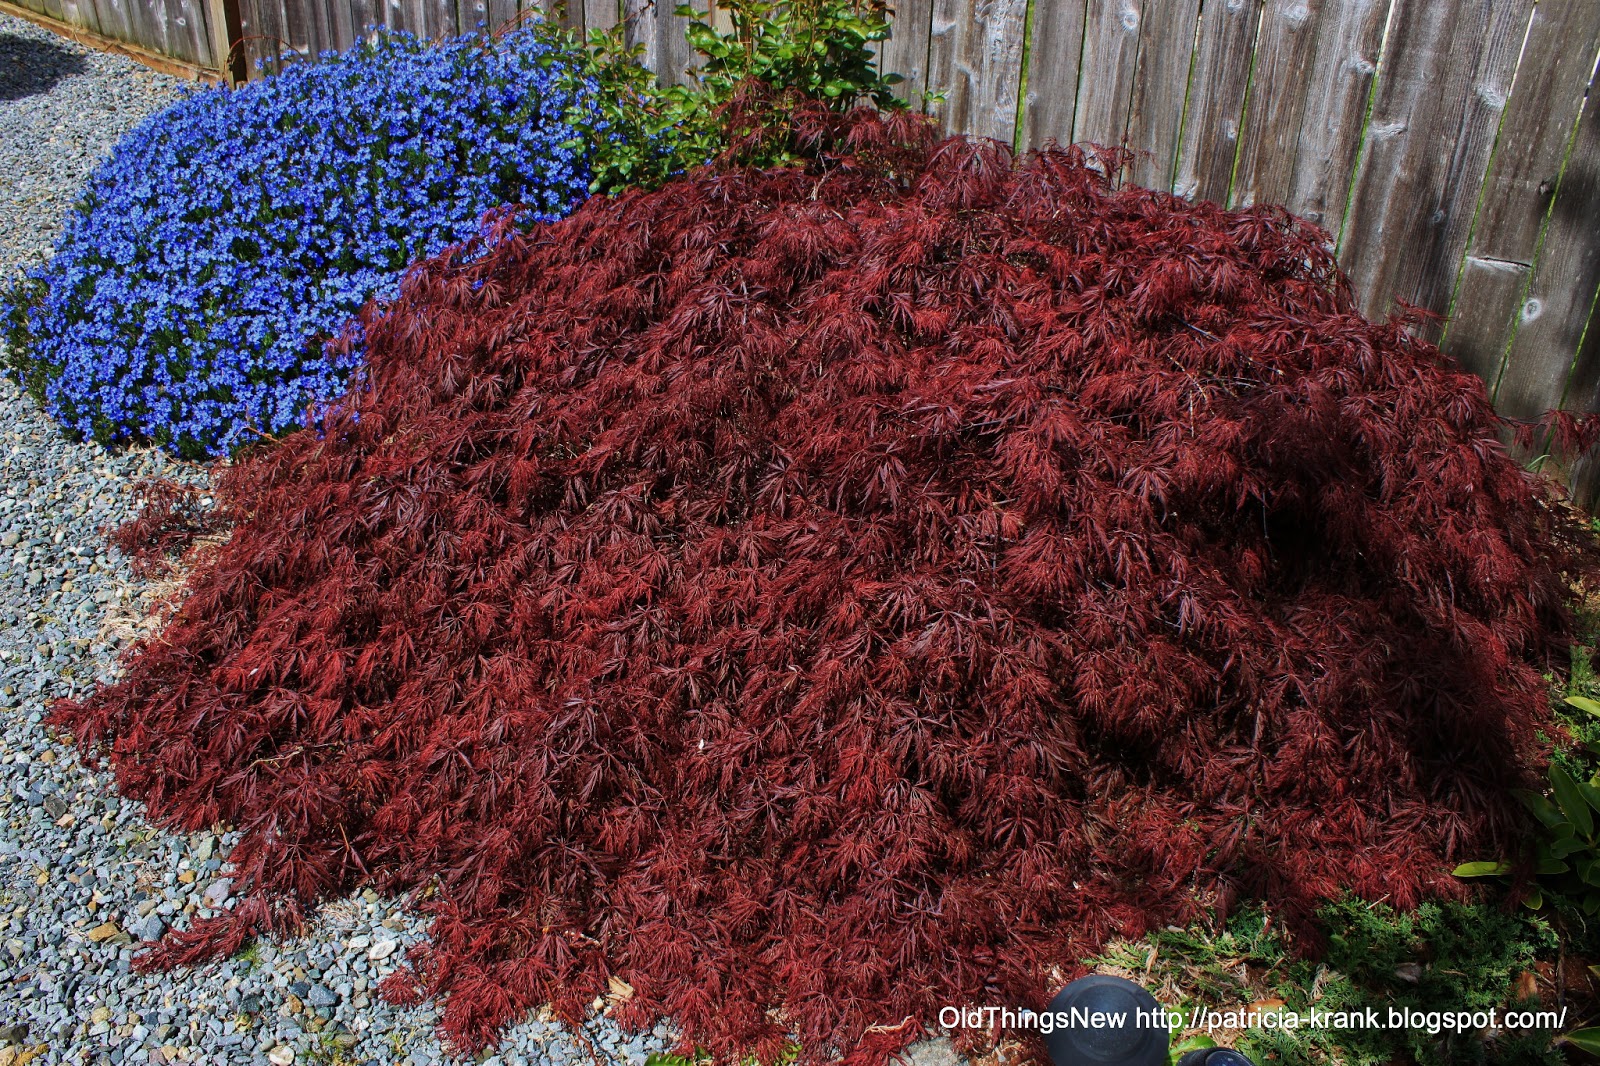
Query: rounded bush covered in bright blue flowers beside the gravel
[228,239]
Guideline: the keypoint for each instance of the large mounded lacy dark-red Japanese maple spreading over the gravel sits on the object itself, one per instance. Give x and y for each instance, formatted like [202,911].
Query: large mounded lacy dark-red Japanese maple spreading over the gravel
[825,595]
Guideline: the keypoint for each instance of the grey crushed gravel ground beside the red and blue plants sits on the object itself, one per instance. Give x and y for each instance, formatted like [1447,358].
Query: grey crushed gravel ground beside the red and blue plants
[84,878]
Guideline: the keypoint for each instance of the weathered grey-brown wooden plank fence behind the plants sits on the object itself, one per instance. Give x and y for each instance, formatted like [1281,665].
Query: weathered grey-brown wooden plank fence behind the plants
[1450,148]
